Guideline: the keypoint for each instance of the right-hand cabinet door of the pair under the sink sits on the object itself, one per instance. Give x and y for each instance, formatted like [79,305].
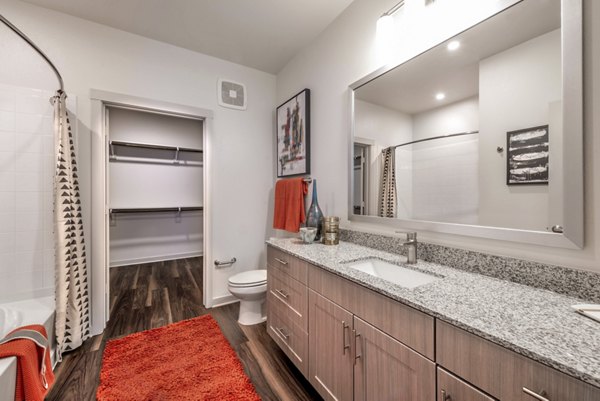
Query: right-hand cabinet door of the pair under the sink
[387,370]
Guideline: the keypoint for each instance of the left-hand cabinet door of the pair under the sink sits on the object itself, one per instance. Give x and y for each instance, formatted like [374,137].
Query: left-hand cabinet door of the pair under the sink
[330,359]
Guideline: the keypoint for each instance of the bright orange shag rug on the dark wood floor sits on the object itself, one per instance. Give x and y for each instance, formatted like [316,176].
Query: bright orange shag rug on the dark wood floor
[188,360]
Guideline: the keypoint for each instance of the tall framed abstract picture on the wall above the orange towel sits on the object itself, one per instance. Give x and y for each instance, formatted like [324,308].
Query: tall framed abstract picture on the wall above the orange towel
[293,136]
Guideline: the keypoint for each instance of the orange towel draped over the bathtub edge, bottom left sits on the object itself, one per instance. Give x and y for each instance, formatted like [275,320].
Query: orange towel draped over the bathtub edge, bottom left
[34,370]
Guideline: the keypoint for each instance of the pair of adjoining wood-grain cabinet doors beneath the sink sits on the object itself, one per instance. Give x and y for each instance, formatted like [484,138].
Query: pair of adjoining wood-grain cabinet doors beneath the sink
[346,350]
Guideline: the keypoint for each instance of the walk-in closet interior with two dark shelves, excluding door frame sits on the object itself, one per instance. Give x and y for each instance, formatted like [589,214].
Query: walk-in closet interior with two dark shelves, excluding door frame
[155,203]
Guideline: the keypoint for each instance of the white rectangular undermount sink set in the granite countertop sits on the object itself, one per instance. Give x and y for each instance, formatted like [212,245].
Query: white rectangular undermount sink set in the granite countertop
[396,274]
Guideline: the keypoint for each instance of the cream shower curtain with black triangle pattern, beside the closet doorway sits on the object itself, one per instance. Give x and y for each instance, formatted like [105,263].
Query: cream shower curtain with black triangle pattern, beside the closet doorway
[71,294]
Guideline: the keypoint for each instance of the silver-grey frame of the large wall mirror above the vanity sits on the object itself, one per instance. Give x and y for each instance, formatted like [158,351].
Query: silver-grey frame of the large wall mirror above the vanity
[572,104]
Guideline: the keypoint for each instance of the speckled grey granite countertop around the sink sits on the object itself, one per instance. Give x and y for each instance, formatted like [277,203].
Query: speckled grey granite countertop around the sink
[533,322]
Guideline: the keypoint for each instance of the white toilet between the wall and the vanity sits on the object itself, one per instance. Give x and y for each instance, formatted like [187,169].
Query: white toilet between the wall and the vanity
[250,288]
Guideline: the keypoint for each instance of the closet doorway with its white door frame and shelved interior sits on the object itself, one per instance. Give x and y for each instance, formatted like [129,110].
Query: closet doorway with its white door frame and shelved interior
[151,160]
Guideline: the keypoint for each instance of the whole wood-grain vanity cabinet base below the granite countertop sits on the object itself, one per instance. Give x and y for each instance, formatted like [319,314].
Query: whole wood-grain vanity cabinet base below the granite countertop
[355,344]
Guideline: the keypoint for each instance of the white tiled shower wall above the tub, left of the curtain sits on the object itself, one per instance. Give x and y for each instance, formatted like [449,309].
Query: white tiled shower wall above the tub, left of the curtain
[26,173]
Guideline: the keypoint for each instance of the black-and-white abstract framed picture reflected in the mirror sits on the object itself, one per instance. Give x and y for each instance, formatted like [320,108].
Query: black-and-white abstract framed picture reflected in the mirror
[527,156]
